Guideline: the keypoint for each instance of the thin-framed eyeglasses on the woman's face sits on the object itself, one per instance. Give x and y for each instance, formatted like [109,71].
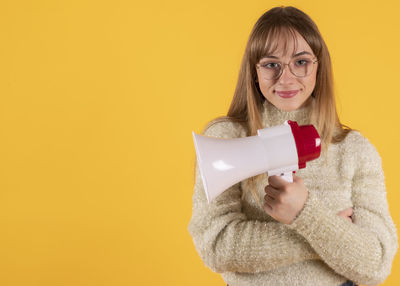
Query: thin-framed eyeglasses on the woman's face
[300,67]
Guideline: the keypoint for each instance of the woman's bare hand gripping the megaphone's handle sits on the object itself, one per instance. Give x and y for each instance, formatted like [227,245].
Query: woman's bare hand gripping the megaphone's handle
[284,200]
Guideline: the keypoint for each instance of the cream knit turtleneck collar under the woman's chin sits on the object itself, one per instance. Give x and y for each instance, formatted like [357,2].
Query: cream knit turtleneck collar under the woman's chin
[272,116]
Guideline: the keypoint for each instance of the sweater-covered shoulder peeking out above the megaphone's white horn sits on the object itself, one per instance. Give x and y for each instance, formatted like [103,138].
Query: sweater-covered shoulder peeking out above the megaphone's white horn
[225,127]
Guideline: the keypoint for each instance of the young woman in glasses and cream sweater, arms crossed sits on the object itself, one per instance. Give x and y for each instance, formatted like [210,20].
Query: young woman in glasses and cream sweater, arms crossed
[332,225]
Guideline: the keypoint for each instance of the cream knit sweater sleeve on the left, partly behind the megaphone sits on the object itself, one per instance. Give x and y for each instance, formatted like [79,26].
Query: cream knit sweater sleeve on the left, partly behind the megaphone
[227,240]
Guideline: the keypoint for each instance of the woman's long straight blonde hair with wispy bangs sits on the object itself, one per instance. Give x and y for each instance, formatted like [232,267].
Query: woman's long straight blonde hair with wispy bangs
[248,100]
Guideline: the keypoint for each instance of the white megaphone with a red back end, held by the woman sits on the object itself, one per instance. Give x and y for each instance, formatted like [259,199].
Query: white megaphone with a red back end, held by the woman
[278,150]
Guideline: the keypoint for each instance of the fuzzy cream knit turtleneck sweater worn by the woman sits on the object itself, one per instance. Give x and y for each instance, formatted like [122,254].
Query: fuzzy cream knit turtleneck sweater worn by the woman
[238,239]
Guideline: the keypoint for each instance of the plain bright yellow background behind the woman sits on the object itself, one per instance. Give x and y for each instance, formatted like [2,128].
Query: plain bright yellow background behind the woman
[98,101]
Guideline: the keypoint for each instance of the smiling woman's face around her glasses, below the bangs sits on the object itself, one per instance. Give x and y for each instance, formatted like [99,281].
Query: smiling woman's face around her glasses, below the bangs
[288,92]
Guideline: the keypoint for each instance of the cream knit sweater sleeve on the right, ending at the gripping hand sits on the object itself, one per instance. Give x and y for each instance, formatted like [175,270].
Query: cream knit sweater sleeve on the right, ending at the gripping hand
[362,251]
